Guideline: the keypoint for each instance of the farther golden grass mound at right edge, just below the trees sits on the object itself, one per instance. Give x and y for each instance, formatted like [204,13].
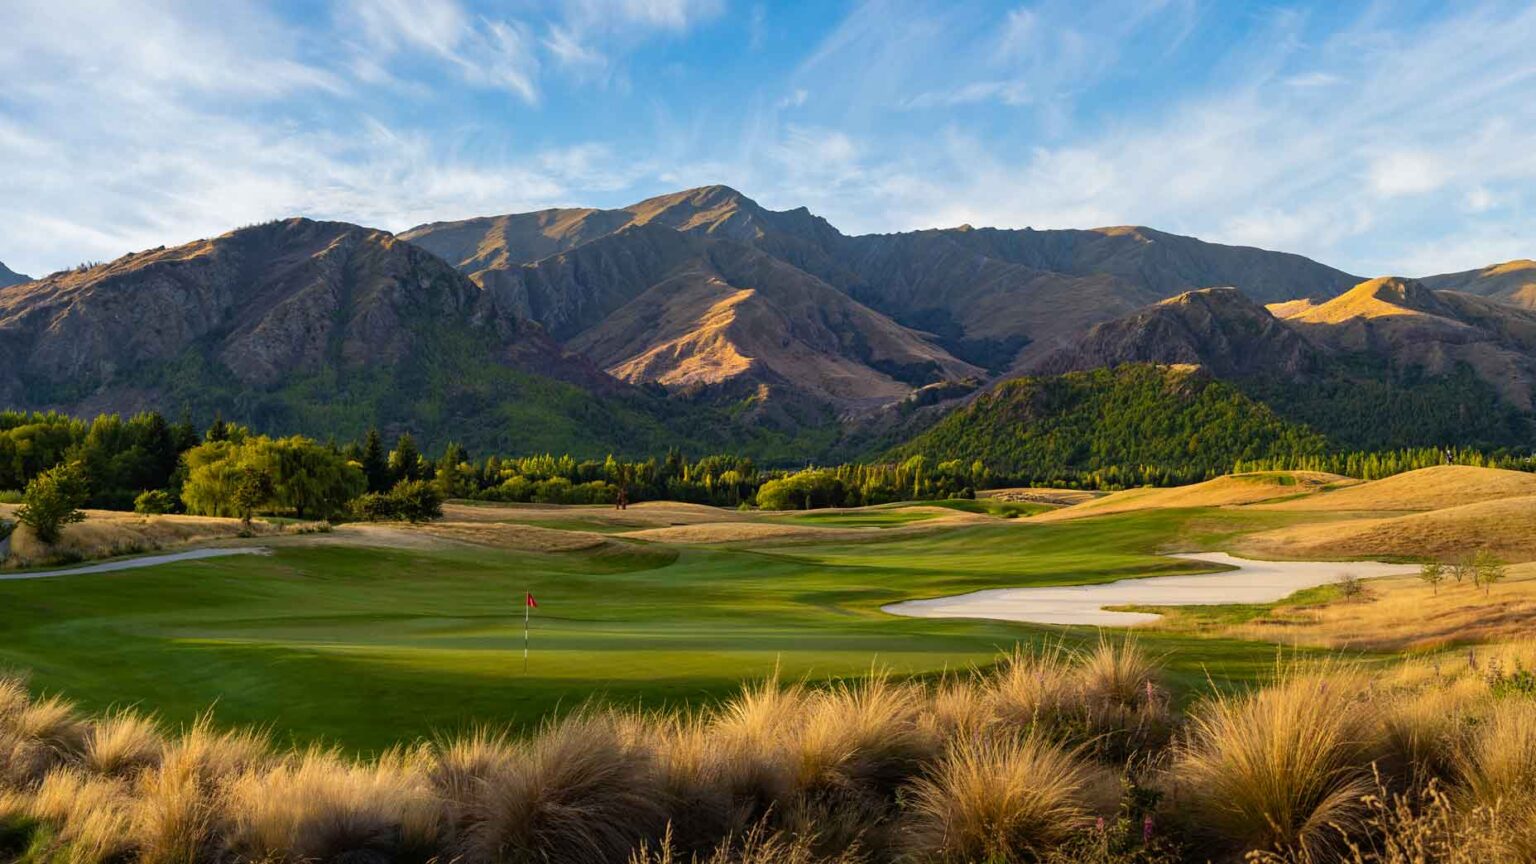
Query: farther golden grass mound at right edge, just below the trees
[1423,490]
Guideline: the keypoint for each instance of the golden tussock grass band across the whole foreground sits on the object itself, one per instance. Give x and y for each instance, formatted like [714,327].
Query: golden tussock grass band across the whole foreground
[1050,757]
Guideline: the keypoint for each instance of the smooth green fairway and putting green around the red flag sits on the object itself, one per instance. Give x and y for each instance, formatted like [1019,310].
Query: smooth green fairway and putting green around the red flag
[371,646]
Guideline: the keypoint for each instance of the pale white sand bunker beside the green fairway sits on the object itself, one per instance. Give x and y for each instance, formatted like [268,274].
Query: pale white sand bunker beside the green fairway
[1253,582]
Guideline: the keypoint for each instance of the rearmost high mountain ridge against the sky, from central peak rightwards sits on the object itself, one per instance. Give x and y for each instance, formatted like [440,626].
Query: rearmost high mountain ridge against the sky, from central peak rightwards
[981,296]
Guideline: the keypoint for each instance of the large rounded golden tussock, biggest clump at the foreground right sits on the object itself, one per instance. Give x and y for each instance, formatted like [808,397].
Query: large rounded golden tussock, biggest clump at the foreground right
[1282,769]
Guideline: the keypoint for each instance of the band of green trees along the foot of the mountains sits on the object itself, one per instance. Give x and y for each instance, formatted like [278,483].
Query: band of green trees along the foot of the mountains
[56,465]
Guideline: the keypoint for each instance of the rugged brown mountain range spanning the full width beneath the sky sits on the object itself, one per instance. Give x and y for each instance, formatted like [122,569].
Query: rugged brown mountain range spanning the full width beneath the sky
[703,319]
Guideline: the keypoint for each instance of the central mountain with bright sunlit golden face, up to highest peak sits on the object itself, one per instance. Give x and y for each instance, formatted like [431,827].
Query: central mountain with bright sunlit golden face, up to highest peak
[683,294]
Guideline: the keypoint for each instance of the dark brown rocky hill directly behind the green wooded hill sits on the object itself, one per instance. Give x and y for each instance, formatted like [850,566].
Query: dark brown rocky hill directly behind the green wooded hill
[1216,328]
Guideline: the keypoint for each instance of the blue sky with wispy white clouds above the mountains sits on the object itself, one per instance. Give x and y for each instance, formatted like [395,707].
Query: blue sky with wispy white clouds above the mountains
[1377,138]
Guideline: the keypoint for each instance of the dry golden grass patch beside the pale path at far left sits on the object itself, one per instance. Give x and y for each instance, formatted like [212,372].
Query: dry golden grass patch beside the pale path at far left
[110,533]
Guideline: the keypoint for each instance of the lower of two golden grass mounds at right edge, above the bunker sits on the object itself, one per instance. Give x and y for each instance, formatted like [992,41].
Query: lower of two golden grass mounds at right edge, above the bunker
[1505,527]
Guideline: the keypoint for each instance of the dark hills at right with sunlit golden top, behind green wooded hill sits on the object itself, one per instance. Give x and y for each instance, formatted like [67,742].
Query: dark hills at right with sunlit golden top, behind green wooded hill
[1388,364]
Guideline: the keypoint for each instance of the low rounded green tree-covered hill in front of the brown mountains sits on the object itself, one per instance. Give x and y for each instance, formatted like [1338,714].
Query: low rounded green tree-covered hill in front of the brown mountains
[1130,425]
